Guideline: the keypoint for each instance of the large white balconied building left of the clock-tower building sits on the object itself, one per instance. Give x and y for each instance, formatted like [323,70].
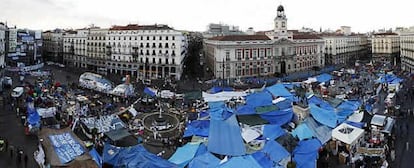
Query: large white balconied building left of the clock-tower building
[143,51]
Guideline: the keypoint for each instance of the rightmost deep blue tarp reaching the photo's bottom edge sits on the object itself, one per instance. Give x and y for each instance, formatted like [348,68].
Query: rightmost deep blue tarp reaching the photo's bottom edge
[306,153]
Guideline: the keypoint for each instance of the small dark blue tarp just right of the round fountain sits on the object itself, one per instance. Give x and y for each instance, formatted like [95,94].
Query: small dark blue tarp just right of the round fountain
[198,128]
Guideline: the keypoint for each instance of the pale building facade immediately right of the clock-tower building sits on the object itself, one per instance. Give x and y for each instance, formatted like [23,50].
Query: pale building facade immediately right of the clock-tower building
[343,49]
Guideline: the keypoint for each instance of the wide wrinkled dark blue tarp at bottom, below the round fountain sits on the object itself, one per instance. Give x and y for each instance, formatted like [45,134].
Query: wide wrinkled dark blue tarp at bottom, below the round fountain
[135,156]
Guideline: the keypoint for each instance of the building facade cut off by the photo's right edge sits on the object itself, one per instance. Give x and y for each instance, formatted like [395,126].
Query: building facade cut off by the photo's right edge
[407,51]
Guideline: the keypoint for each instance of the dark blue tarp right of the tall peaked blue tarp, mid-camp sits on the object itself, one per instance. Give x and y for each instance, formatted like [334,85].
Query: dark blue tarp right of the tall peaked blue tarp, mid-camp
[278,117]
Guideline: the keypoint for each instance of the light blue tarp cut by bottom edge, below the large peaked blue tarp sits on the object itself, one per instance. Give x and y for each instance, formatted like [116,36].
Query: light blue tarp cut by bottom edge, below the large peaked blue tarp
[241,162]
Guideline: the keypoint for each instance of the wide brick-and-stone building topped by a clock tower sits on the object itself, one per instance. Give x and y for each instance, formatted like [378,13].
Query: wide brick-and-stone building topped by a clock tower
[273,52]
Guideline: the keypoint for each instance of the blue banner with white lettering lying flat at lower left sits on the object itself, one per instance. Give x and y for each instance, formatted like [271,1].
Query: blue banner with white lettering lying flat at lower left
[66,147]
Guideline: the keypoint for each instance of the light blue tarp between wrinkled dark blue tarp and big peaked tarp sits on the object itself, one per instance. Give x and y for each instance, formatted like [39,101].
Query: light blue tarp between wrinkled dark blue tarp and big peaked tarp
[183,155]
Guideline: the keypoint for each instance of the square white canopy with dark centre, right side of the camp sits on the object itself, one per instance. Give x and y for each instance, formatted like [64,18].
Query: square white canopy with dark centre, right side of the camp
[347,133]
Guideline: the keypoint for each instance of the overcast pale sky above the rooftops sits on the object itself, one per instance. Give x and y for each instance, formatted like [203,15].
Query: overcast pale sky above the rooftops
[195,15]
